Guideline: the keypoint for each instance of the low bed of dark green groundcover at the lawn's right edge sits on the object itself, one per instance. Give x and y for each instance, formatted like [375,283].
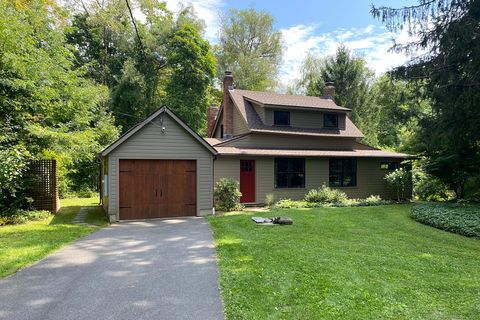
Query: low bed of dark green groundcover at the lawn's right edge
[461,218]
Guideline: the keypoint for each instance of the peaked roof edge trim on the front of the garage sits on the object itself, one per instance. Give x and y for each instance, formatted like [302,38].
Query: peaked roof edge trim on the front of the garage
[149,119]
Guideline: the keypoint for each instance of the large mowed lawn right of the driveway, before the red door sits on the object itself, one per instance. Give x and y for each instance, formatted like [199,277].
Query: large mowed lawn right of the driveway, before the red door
[345,263]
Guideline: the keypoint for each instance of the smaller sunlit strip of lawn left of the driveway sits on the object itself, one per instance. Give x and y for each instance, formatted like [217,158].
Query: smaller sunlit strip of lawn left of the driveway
[21,245]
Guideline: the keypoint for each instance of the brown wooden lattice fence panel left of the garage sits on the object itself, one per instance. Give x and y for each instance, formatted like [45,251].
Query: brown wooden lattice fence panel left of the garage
[44,185]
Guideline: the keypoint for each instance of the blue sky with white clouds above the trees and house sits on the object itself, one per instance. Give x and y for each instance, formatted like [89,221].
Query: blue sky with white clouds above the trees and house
[317,27]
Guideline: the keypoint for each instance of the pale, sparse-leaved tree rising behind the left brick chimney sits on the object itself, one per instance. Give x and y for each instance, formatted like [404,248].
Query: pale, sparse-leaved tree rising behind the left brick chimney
[250,48]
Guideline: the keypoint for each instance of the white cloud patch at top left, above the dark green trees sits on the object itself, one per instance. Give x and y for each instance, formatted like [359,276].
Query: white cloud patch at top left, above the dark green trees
[207,10]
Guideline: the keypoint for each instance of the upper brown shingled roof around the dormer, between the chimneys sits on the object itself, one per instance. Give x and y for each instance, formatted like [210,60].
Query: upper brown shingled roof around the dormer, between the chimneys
[242,99]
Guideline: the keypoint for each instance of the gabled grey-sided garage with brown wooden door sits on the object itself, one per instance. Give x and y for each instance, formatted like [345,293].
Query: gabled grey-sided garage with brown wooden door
[160,168]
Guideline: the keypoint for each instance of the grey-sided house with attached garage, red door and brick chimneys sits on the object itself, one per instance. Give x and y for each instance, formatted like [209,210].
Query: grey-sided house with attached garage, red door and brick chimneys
[271,143]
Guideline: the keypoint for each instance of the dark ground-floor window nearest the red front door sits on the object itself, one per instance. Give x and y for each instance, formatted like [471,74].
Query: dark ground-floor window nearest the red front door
[289,173]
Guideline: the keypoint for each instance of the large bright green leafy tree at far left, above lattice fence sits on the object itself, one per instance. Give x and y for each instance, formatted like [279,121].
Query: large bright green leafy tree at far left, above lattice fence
[47,107]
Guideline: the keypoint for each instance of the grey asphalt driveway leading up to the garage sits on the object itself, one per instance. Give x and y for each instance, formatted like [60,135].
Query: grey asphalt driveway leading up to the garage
[158,269]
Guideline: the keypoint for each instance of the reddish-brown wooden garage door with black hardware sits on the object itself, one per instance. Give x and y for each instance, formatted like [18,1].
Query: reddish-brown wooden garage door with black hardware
[157,188]
